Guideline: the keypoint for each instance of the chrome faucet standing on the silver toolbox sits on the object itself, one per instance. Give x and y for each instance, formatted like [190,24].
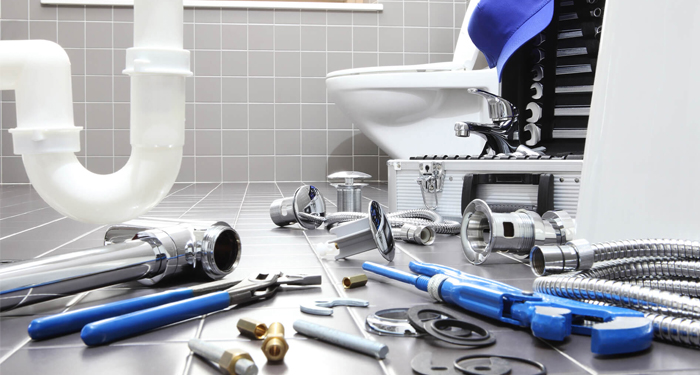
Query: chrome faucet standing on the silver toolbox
[504,116]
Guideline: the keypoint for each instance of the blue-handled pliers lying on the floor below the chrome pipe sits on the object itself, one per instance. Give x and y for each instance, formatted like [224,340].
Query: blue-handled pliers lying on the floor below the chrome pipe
[110,322]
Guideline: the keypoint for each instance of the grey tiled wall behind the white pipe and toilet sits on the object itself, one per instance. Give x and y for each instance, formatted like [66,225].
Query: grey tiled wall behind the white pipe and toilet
[257,108]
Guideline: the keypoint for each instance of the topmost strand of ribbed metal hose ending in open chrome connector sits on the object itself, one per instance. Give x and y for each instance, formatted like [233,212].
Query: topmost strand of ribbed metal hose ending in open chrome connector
[582,255]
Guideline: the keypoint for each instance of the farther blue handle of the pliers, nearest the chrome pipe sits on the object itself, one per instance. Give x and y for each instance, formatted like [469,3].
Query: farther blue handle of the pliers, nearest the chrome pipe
[74,321]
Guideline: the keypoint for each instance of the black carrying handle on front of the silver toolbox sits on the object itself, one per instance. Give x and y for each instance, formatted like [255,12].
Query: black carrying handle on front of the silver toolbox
[545,182]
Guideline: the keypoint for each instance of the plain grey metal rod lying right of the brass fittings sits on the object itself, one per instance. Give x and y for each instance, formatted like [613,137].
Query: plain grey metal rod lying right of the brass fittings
[339,338]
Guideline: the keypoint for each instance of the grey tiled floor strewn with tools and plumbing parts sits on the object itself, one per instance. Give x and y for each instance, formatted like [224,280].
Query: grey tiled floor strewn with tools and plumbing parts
[29,229]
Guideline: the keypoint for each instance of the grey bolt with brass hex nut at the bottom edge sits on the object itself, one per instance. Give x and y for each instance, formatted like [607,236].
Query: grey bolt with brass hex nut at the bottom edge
[233,361]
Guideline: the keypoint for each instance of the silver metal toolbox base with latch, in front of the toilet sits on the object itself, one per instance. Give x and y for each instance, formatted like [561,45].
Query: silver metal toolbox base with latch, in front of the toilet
[448,184]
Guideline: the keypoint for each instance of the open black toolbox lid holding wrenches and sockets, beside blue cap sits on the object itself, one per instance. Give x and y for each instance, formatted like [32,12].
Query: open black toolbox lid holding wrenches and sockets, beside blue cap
[550,79]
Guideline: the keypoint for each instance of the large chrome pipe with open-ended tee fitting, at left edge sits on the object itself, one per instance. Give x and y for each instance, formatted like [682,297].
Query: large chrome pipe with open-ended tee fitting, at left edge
[131,252]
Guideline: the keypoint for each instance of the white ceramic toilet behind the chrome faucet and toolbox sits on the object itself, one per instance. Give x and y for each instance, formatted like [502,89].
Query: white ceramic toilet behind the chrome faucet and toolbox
[411,110]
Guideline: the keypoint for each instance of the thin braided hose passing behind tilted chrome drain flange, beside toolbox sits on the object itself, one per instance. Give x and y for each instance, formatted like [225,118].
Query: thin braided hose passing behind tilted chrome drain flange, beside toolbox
[396,219]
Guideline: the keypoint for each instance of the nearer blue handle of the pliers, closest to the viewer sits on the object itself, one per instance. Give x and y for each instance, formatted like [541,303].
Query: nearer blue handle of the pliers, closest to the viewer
[117,328]
